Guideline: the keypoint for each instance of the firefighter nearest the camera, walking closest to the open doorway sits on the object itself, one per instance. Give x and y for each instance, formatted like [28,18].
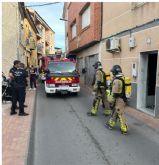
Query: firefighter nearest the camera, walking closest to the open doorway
[119,100]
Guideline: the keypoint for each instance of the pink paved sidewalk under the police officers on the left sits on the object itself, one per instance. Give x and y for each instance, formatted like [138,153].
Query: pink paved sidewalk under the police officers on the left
[16,132]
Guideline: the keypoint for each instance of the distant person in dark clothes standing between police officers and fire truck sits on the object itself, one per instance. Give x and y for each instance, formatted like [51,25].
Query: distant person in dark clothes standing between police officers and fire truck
[32,78]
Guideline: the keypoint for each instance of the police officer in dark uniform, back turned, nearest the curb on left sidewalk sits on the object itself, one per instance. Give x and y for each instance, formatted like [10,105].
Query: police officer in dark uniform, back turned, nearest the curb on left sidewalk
[18,89]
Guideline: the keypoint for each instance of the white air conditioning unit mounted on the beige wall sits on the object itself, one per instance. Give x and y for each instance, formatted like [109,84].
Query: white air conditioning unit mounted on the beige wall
[113,44]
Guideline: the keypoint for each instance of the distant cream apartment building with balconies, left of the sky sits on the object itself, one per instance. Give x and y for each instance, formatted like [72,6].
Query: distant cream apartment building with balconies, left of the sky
[45,38]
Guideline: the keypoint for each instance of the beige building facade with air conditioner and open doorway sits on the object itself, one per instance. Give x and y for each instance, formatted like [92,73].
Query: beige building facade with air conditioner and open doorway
[129,38]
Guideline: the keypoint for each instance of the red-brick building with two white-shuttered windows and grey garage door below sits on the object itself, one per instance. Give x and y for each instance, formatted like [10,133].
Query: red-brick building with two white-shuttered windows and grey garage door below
[83,25]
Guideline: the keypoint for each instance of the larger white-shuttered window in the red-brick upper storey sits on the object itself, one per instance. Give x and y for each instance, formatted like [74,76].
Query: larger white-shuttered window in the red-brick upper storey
[86,17]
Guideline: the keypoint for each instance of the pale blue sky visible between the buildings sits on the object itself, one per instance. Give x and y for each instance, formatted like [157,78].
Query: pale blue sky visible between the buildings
[51,14]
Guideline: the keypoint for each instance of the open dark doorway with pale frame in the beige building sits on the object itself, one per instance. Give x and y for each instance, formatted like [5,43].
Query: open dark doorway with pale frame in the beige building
[147,82]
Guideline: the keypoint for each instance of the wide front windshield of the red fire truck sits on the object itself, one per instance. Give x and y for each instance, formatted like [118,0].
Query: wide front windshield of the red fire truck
[61,67]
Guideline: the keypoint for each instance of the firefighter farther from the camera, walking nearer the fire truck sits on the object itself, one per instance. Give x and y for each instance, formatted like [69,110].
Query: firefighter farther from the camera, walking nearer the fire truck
[99,87]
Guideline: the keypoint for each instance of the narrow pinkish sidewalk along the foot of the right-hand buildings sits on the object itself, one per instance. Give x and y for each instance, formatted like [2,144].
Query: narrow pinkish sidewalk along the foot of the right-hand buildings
[141,116]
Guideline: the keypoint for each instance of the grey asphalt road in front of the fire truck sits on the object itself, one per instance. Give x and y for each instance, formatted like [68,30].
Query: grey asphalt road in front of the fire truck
[65,135]
